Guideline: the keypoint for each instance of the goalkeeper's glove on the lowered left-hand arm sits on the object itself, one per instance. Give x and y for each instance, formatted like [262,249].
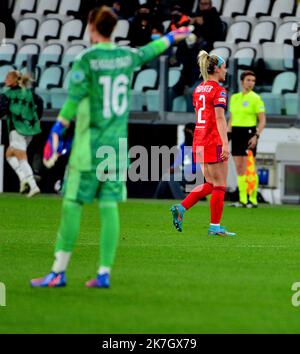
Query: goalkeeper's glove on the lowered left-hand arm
[53,147]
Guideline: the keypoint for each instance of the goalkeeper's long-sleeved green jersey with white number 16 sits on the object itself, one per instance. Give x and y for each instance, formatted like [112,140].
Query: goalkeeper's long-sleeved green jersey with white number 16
[99,96]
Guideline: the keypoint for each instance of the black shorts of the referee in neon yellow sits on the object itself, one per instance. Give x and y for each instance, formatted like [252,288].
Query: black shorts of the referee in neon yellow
[240,139]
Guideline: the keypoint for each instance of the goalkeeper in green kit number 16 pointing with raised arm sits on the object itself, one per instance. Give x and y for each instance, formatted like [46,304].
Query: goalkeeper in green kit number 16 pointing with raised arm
[98,96]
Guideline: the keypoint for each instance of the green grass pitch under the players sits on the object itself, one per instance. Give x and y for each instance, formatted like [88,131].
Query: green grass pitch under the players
[163,281]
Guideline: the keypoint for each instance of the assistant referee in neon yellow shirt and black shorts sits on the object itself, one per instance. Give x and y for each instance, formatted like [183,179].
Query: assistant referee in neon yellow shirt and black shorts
[246,108]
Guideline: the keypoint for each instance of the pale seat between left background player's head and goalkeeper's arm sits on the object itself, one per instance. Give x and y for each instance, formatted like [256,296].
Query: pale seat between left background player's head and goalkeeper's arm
[50,78]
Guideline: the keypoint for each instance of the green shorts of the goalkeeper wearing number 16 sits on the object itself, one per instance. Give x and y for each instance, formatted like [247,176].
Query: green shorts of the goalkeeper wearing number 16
[84,187]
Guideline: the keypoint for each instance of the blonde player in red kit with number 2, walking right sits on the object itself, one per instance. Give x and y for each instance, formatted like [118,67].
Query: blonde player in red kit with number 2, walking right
[210,145]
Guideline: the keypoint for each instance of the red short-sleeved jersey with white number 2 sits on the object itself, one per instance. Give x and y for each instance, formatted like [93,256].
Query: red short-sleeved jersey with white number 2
[206,97]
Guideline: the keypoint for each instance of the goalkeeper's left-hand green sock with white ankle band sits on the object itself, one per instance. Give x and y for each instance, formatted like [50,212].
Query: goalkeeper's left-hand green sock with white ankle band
[67,234]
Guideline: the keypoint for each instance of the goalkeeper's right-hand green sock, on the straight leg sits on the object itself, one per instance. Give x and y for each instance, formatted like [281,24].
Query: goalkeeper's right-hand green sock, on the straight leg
[109,235]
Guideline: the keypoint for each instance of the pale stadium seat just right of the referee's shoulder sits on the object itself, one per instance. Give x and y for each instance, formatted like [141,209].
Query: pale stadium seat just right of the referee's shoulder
[283,82]
